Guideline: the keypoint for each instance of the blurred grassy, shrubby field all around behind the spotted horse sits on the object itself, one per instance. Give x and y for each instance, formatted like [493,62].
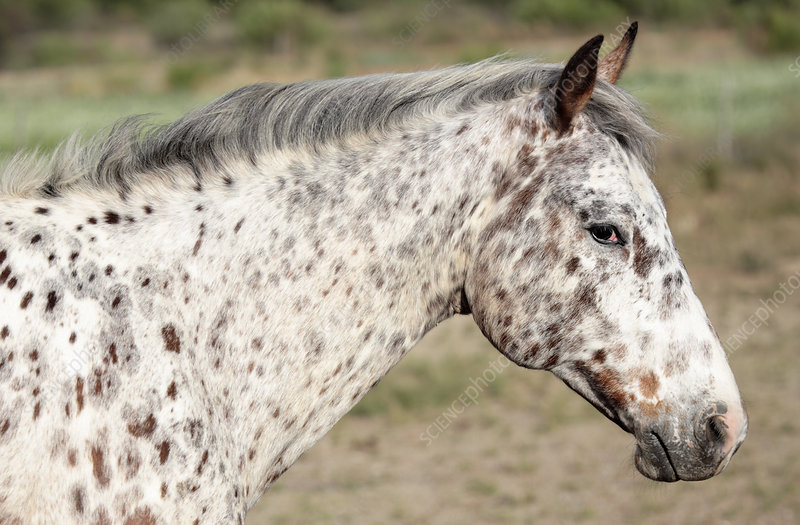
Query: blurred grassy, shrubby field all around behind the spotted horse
[722,81]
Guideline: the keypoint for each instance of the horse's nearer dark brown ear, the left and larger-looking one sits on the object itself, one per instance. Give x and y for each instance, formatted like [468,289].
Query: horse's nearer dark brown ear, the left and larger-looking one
[574,87]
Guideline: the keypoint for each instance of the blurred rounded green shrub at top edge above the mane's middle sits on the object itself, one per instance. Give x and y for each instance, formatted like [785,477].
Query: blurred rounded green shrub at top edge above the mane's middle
[279,25]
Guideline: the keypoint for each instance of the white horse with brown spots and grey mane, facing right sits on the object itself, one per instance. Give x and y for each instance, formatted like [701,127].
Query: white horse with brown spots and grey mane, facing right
[187,309]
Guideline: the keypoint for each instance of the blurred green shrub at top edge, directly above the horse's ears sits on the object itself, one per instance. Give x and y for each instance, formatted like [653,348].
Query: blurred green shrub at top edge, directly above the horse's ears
[573,13]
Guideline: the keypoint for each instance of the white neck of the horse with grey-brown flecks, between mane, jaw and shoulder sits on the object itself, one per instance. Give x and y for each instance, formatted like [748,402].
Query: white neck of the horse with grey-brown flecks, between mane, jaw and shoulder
[291,291]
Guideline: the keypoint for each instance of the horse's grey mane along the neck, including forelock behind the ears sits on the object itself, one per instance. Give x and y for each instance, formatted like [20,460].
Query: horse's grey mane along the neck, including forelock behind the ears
[268,117]
